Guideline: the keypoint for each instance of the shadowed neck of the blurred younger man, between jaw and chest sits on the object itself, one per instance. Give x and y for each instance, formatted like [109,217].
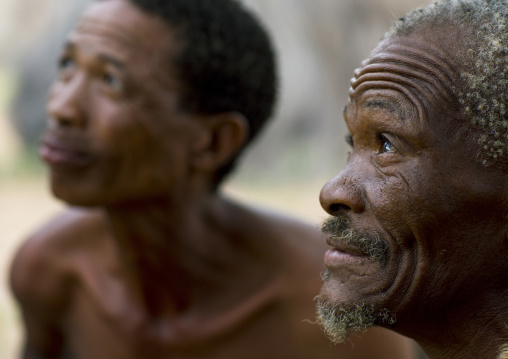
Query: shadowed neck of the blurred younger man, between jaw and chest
[178,255]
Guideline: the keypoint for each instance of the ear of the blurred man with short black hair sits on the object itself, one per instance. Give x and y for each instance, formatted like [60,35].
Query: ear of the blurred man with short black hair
[225,135]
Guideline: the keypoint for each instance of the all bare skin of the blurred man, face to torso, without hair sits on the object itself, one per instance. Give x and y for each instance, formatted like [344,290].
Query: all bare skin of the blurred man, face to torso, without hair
[151,262]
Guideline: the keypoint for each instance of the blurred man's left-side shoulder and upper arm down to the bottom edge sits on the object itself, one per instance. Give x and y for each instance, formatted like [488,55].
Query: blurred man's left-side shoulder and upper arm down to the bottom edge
[42,278]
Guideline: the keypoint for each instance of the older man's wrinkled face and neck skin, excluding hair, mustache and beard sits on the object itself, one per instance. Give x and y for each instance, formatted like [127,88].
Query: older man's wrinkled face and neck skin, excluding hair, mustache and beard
[413,181]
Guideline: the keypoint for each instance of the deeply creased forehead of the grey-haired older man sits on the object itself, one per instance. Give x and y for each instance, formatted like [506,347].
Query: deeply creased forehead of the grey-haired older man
[417,69]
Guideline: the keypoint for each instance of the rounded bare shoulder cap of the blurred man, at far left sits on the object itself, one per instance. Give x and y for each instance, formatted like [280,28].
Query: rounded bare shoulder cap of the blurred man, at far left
[42,266]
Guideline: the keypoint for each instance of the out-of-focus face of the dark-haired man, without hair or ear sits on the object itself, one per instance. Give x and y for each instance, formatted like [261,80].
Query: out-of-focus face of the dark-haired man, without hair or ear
[115,131]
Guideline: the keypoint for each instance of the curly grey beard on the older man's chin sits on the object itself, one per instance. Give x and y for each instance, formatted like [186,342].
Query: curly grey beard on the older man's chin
[339,320]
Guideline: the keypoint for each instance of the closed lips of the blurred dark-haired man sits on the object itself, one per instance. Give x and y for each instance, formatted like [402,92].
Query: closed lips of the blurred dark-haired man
[59,154]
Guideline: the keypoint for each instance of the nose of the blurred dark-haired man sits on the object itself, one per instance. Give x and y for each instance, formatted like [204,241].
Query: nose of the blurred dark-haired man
[66,103]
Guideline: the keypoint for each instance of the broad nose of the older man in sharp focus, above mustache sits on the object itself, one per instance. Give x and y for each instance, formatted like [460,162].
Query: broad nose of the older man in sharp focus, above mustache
[342,193]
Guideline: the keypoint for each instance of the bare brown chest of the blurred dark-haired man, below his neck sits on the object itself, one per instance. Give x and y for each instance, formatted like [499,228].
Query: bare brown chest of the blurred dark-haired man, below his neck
[105,322]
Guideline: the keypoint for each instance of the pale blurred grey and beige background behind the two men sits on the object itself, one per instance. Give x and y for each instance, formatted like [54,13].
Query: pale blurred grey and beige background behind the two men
[320,43]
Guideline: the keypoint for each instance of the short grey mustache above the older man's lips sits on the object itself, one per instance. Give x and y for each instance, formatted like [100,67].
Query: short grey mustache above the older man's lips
[339,229]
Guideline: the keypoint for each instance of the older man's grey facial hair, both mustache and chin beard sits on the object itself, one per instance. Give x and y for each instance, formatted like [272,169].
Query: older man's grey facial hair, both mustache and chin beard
[339,320]
